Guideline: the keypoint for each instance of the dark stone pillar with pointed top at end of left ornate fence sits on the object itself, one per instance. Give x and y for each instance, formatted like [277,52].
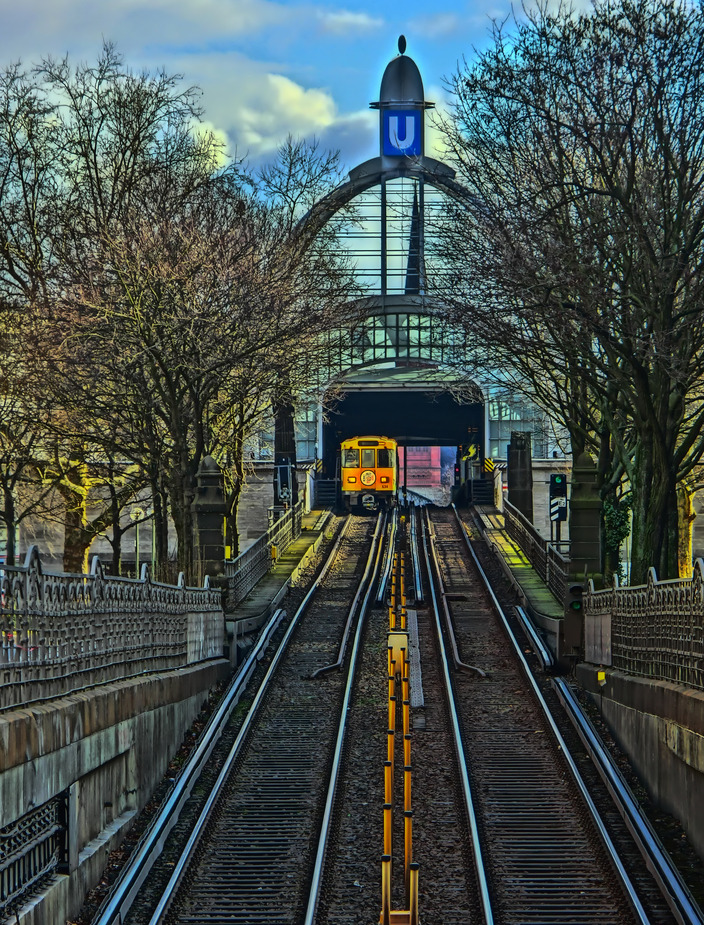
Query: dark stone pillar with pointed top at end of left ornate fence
[208,514]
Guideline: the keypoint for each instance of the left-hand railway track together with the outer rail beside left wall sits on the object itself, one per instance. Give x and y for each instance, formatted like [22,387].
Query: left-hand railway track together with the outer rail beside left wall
[252,852]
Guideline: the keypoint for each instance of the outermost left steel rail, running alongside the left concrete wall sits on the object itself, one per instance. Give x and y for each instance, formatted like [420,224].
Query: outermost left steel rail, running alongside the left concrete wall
[135,872]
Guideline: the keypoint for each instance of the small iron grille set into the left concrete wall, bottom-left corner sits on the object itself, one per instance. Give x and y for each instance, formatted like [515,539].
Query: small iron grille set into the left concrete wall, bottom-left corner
[31,850]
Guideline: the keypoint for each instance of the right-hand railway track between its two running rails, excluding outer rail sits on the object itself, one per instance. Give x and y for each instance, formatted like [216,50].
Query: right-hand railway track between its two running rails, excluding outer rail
[537,852]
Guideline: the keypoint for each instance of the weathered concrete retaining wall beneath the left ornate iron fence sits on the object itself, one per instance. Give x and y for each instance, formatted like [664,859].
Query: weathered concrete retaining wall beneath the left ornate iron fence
[109,747]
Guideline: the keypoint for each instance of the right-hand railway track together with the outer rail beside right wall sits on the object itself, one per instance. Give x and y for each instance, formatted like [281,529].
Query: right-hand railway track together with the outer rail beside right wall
[548,852]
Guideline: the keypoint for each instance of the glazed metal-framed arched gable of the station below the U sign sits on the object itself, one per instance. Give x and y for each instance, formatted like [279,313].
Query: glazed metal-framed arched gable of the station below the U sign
[385,210]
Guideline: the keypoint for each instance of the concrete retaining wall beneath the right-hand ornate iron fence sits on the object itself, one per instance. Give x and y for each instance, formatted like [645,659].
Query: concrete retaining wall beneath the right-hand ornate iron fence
[660,726]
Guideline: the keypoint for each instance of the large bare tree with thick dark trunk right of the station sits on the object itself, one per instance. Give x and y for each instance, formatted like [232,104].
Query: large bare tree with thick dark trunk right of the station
[581,138]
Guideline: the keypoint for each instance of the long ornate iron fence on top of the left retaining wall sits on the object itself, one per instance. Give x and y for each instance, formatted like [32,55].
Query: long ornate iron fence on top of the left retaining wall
[62,633]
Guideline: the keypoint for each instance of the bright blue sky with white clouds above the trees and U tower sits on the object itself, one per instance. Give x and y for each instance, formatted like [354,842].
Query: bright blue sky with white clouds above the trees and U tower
[267,68]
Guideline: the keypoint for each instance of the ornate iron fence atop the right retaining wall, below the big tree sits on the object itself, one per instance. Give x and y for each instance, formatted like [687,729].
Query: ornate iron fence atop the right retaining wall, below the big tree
[654,630]
